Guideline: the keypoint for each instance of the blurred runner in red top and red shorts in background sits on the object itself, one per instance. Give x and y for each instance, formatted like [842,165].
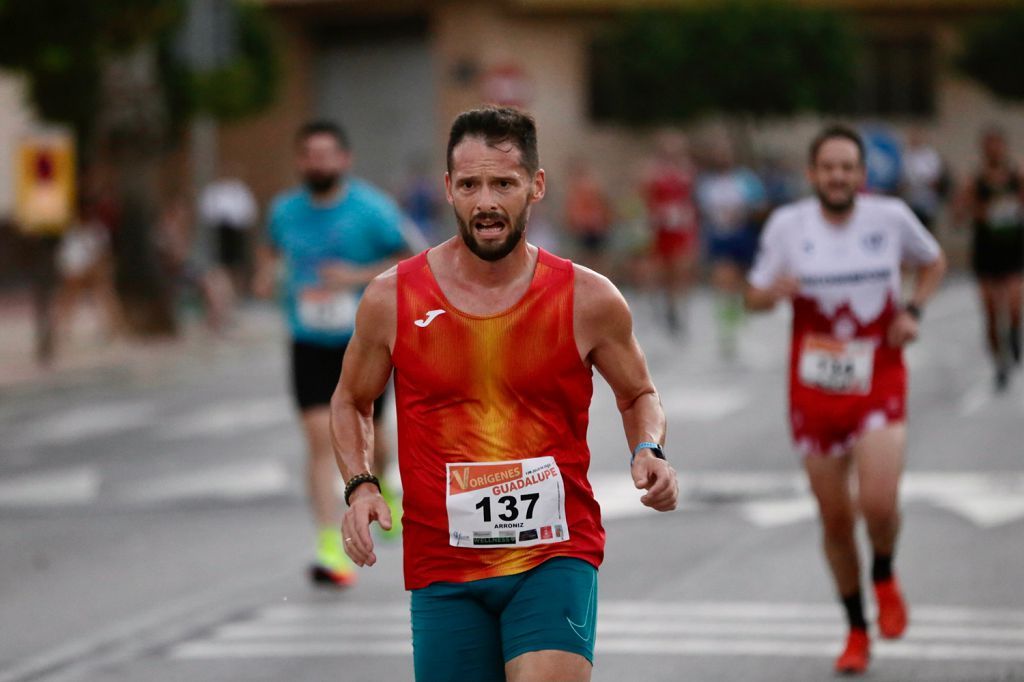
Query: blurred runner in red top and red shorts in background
[668,190]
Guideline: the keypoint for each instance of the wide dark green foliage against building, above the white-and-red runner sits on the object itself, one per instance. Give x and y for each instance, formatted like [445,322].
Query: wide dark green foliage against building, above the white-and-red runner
[739,57]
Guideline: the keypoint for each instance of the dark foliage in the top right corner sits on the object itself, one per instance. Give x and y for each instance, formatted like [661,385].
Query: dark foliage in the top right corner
[993,53]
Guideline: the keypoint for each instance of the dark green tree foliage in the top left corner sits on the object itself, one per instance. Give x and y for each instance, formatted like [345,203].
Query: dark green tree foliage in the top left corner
[62,48]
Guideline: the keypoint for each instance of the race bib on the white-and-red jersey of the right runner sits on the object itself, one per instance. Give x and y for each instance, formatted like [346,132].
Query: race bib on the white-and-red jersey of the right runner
[839,367]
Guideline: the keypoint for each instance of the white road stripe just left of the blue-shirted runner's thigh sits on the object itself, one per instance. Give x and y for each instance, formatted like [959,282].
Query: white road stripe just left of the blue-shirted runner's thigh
[229,419]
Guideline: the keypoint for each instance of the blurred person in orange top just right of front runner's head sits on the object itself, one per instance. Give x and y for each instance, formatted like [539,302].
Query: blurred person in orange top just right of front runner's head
[588,217]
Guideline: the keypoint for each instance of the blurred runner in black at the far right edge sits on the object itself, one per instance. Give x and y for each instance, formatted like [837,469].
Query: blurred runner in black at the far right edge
[994,201]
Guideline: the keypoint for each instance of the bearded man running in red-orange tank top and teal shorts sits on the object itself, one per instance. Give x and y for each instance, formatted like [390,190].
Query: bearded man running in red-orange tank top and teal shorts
[493,343]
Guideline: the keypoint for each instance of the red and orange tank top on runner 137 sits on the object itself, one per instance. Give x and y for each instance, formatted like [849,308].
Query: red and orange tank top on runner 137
[489,390]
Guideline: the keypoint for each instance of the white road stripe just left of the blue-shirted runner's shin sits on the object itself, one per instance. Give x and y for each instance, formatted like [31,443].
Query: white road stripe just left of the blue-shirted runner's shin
[237,482]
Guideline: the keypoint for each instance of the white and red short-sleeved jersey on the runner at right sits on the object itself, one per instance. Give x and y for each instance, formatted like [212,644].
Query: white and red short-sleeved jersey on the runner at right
[849,289]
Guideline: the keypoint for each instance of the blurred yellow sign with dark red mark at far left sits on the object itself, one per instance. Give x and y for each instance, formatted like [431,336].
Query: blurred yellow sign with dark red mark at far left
[46,184]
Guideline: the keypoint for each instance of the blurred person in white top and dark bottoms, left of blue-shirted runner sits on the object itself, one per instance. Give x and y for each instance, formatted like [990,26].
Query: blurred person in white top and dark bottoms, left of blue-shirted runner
[228,207]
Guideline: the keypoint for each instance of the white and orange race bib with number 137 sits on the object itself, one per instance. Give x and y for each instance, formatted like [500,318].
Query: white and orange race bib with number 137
[506,504]
